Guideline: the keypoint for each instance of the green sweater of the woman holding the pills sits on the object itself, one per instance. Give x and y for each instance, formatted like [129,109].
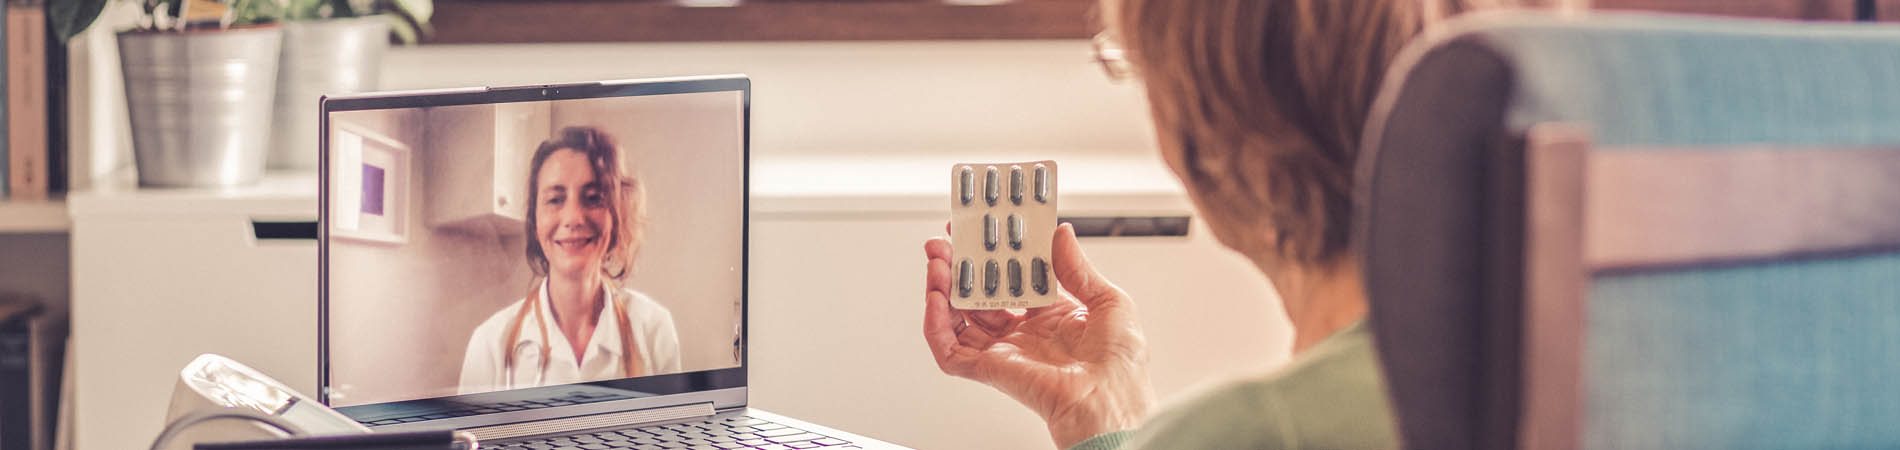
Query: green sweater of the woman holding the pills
[1333,396]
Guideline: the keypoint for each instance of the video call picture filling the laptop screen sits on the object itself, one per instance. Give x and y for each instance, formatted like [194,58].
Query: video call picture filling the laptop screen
[491,248]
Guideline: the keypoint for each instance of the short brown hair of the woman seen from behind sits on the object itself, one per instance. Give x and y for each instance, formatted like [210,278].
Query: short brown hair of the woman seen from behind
[1261,103]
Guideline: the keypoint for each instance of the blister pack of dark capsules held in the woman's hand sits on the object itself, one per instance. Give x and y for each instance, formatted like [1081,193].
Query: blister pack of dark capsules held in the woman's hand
[1002,217]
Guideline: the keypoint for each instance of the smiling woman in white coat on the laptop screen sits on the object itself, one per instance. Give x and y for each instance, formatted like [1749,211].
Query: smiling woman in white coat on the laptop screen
[586,219]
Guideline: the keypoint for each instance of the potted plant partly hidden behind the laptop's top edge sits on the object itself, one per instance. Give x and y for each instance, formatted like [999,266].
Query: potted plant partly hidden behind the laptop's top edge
[330,48]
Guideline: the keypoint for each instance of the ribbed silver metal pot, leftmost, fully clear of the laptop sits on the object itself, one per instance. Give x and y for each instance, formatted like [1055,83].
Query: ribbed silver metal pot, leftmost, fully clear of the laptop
[200,103]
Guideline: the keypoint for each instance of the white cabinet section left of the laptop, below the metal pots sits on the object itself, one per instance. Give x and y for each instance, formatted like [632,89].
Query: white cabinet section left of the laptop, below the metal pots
[162,276]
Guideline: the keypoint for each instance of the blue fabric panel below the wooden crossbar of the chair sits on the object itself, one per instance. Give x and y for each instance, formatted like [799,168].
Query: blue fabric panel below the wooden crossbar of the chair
[1772,356]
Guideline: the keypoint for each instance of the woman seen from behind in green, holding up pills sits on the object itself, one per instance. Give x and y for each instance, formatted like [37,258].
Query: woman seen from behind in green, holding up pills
[1259,107]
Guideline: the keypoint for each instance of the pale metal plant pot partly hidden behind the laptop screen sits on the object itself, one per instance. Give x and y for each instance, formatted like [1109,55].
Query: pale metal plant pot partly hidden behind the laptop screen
[322,58]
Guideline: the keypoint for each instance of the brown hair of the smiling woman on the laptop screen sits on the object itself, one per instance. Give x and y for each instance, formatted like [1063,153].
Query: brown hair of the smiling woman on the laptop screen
[624,191]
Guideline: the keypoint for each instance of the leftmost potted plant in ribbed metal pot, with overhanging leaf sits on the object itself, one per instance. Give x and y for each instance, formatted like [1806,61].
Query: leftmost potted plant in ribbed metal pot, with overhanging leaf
[200,81]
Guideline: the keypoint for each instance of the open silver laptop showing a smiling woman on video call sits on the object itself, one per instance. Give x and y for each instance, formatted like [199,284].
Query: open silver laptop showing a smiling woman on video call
[544,267]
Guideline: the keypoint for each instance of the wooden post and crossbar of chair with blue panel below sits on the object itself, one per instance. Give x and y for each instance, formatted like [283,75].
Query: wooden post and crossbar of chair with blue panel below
[1711,297]
